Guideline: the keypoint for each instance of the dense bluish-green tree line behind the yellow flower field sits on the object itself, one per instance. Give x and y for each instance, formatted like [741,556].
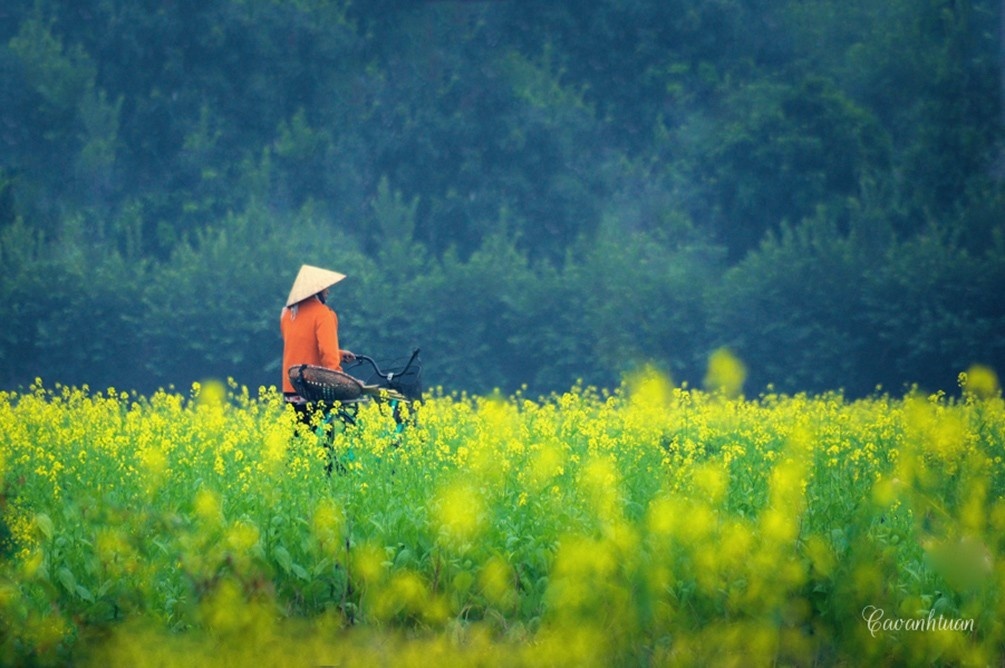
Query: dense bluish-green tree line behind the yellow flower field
[534,193]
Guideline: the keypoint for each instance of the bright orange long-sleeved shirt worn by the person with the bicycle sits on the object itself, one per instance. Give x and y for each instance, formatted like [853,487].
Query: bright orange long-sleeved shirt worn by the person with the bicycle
[312,338]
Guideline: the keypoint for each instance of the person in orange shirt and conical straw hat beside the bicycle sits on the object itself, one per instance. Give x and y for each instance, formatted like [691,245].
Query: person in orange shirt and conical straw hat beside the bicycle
[310,328]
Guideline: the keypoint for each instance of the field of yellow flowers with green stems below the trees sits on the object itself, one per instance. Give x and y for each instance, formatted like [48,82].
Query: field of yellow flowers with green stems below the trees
[652,526]
